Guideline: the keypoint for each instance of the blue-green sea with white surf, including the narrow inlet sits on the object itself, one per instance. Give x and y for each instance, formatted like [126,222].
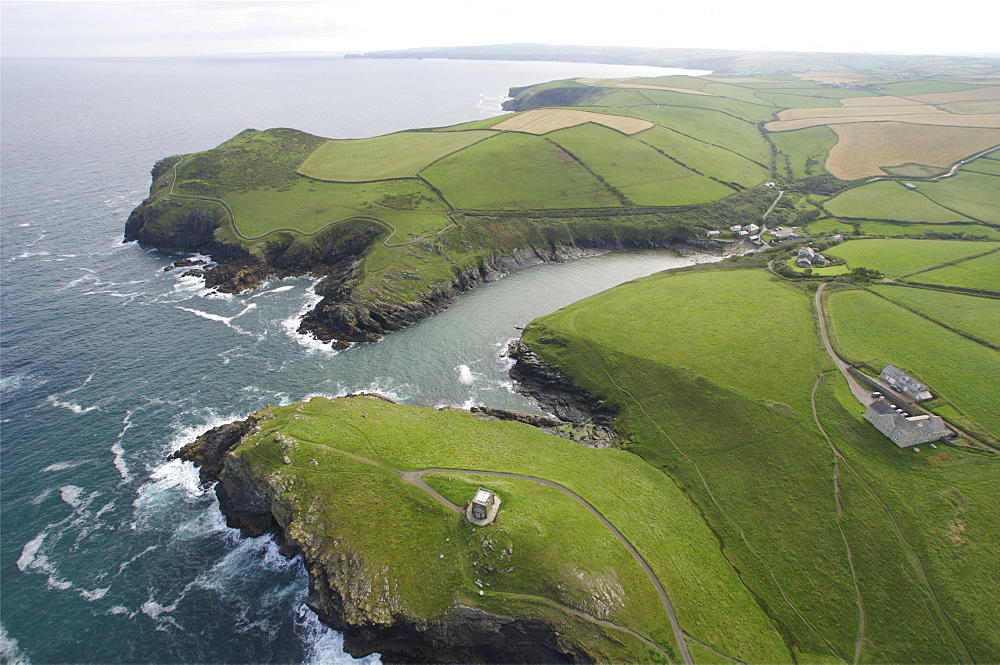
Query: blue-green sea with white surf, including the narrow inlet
[109,552]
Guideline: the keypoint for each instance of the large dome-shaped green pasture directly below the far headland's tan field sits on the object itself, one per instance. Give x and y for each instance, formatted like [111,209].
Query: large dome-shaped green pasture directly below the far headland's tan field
[515,171]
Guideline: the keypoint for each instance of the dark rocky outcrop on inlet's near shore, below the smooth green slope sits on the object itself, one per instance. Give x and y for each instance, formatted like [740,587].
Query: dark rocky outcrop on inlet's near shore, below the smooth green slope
[554,391]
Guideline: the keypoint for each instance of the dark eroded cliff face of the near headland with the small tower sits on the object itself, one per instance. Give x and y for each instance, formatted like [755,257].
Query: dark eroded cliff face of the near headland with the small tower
[344,593]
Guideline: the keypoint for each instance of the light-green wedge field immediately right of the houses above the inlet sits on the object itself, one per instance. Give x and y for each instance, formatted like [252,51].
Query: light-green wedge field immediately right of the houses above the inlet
[898,257]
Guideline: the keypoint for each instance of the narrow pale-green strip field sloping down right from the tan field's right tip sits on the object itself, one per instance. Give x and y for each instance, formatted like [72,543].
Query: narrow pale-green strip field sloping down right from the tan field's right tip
[706,158]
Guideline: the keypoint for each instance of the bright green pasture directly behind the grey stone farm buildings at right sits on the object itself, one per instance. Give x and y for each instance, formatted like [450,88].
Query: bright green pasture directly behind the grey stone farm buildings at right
[955,368]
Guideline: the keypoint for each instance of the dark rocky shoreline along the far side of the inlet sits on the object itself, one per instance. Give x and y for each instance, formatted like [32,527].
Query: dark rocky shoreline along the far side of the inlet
[341,317]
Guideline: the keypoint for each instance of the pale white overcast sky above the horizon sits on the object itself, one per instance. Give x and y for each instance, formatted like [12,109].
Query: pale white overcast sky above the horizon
[180,27]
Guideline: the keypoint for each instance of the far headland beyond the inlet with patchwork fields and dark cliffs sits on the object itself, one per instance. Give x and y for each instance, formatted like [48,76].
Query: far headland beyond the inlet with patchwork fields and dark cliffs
[403,222]
